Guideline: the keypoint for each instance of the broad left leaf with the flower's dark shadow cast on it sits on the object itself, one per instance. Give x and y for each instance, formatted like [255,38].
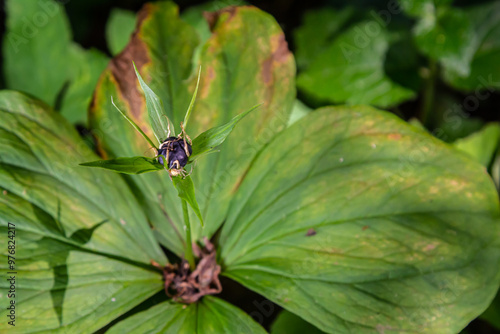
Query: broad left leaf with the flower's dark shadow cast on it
[84,246]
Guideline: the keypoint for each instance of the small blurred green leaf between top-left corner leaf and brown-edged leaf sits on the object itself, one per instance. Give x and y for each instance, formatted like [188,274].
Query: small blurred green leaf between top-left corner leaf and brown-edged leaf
[86,68]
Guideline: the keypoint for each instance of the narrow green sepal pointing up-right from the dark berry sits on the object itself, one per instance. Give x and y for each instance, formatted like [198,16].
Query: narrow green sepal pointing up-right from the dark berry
[214,137]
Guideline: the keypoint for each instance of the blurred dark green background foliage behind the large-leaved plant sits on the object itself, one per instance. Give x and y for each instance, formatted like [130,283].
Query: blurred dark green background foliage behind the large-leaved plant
[434,63]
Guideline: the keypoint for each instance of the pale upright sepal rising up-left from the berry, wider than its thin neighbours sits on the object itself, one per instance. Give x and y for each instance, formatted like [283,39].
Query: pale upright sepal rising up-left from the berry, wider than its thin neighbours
[161,124]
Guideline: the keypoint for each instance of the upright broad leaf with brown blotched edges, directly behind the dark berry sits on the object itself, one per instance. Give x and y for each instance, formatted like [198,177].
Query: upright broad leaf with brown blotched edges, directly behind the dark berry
[245,61]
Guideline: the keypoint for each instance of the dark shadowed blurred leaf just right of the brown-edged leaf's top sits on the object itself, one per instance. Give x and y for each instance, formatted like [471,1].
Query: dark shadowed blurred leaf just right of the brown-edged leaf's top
[318,29]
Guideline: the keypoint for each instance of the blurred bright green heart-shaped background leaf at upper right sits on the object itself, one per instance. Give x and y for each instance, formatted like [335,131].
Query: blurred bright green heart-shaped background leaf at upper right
[351,70]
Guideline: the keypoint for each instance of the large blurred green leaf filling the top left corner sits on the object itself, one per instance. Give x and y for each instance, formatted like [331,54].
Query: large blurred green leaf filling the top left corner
[36,48]
